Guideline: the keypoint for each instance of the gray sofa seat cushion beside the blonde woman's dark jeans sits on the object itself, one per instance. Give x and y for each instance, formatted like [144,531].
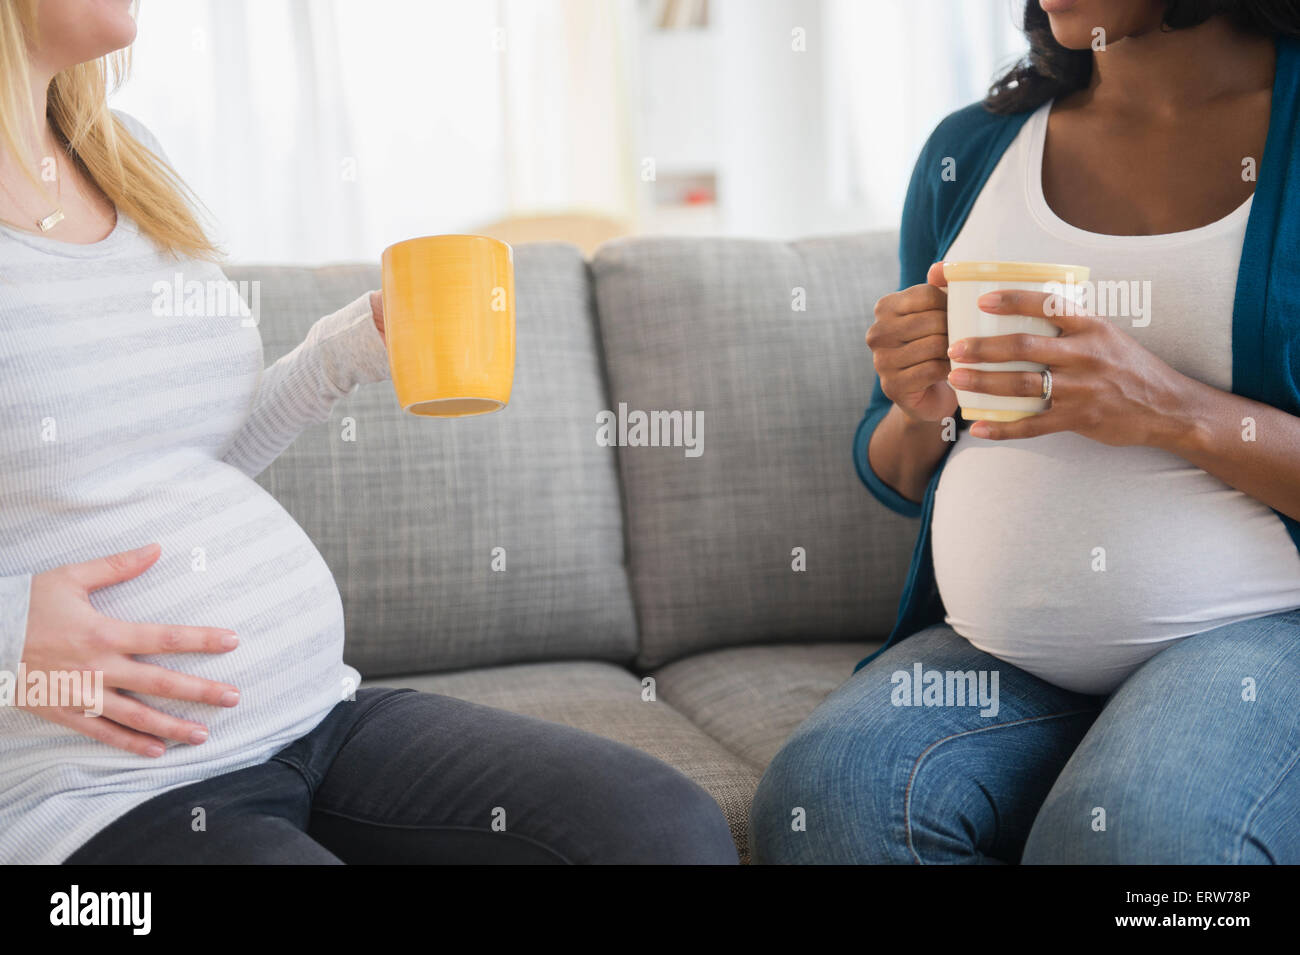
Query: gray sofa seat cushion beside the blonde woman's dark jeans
[606,701]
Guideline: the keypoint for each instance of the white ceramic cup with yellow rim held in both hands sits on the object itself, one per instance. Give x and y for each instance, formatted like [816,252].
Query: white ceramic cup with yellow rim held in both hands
[967,284]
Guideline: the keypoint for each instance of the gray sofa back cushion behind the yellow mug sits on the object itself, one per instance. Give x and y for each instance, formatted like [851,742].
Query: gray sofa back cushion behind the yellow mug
[408,515]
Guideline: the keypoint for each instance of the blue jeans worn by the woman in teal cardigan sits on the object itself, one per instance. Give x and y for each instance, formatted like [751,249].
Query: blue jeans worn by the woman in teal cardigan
[1193,761]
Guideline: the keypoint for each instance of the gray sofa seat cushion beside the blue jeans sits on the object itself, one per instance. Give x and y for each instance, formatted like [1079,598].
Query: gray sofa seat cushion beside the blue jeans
[752,698]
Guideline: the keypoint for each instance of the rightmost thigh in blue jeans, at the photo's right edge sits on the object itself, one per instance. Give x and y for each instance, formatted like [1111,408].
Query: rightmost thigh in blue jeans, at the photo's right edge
[1193,761]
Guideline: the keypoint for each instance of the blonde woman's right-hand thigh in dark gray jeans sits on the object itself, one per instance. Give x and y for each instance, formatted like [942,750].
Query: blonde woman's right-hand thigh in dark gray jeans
[428,779]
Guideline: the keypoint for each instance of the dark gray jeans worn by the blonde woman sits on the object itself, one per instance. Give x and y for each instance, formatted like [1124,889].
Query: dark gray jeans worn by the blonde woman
[400,776]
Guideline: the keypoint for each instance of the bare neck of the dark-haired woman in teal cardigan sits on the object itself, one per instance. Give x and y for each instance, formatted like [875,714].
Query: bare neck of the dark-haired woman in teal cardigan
[1162,72]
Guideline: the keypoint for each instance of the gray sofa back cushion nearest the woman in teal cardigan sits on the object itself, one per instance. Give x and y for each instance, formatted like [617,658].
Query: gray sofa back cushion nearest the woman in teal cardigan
[708,325]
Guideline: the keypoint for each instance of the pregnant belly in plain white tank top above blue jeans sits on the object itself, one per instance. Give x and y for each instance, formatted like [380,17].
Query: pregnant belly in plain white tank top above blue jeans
[1077,562]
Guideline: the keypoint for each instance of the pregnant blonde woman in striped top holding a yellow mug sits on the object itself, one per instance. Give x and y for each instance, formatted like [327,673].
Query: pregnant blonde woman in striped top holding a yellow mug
[128,440]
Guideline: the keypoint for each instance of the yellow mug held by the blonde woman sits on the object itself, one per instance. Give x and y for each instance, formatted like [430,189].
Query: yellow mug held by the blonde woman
[449,319]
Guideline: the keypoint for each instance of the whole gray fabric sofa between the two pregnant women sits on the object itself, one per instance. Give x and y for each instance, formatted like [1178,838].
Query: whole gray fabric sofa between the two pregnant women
[630,563]
